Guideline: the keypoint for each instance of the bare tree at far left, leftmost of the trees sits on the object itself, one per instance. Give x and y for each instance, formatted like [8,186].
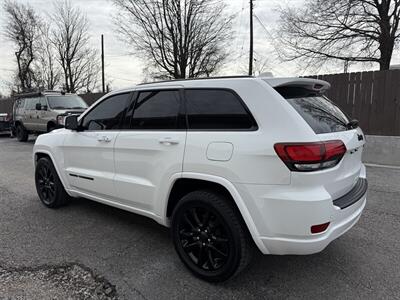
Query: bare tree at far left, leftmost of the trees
[22,29]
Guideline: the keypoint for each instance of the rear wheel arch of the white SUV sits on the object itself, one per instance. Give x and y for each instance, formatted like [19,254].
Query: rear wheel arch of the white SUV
[192,181]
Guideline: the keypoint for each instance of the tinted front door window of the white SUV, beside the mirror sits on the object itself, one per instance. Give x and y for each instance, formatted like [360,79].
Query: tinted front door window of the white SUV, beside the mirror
[107,115]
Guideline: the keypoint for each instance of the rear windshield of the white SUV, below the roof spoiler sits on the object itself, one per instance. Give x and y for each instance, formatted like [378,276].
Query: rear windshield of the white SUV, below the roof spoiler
[318,111]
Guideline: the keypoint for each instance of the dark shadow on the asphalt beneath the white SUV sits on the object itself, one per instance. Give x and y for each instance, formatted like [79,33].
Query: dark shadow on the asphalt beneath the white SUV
[266,273]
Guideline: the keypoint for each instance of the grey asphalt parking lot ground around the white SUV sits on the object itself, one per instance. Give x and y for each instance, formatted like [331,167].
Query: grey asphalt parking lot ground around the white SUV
[89,250]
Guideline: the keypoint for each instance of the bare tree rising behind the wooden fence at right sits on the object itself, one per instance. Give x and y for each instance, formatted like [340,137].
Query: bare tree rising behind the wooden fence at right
[347,30]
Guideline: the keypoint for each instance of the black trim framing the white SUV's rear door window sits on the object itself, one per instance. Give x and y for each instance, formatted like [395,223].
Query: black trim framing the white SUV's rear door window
[181,124]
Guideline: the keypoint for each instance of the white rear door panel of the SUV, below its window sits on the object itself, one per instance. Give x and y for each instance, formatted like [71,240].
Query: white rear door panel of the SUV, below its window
[144,163]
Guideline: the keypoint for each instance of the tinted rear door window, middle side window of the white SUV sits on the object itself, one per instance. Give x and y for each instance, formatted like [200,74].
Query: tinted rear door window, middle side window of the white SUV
[156,110]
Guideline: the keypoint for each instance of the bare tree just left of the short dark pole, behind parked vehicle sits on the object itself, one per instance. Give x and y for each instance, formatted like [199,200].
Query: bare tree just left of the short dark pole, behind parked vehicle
[71,39]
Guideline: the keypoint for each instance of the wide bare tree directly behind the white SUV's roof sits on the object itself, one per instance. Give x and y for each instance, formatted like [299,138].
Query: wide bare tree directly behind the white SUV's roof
[179,38]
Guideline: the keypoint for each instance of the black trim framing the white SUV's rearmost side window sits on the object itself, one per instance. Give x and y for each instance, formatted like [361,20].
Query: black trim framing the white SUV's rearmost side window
[253,128]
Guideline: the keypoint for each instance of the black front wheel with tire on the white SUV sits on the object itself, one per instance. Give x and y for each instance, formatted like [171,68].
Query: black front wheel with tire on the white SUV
[48,185]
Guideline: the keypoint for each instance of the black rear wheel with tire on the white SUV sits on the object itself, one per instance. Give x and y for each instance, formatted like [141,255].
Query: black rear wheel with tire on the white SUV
[210,237]
